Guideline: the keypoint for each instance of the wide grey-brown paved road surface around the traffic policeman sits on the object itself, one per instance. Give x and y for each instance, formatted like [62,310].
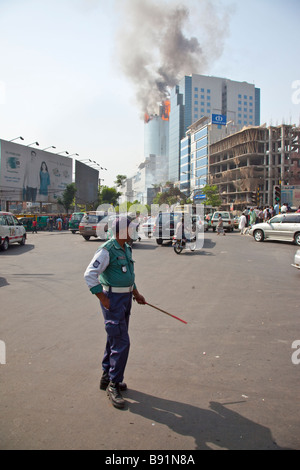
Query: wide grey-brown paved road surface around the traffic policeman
[223,381]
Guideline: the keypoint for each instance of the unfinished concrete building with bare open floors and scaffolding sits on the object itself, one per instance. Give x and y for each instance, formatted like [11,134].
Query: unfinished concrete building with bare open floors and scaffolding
[248,164]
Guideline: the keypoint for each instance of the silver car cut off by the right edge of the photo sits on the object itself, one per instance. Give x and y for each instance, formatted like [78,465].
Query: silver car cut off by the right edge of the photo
[285,227]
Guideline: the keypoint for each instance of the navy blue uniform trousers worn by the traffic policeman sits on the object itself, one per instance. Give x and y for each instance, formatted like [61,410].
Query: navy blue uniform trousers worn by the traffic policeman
[116,321]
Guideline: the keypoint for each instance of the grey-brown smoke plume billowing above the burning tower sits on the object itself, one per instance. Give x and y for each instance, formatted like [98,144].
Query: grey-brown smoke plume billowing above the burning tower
[155,51]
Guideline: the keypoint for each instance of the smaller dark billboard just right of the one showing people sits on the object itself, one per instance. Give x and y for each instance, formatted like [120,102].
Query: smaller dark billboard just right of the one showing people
[86,182]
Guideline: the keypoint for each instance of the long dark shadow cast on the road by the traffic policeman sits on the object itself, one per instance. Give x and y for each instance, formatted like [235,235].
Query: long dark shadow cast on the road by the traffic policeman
[217,427]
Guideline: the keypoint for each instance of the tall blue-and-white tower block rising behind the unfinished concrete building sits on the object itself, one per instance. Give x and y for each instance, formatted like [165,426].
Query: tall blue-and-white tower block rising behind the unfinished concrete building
[197,96]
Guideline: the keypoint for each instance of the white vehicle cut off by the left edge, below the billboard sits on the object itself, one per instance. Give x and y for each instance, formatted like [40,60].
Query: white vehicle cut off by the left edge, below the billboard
[11,230]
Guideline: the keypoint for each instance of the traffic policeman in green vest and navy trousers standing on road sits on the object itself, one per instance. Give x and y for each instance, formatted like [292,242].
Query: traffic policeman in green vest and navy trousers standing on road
[110,276]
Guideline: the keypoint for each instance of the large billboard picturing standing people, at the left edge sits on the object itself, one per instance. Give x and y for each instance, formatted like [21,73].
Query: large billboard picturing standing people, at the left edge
[32,175]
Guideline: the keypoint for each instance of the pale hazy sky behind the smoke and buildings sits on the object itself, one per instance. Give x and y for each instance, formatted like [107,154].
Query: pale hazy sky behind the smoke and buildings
[63,77]
